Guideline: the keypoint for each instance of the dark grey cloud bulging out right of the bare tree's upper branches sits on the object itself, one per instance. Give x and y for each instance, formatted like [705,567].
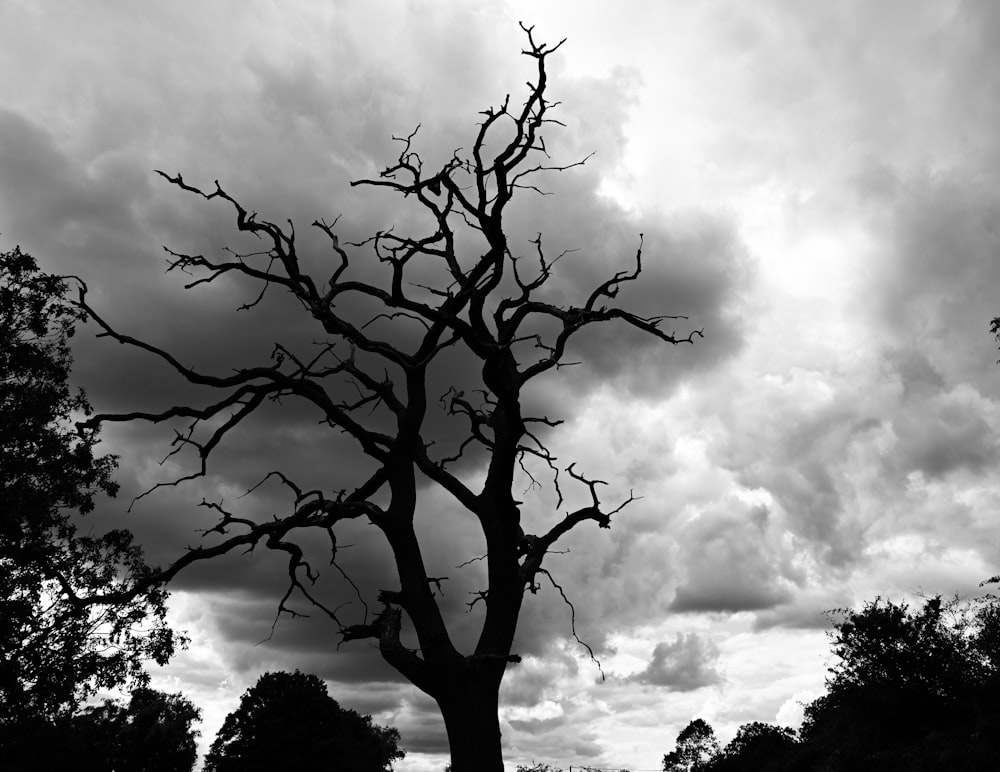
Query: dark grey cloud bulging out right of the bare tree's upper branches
[693,265]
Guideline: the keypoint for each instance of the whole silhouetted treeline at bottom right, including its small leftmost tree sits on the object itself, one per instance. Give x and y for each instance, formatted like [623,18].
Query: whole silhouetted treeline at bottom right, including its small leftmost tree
[912,690]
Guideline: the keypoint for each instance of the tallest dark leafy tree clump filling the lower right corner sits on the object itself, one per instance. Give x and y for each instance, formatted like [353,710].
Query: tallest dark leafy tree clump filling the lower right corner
[912,689]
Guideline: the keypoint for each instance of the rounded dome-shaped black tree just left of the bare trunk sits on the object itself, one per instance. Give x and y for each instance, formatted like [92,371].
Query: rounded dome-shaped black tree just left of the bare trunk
[289,721]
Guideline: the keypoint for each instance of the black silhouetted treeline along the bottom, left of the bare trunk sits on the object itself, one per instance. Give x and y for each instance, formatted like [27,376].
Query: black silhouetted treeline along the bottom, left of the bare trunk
[285,721]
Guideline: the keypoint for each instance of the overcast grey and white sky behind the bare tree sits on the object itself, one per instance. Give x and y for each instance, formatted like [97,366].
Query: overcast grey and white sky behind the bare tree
[819,188]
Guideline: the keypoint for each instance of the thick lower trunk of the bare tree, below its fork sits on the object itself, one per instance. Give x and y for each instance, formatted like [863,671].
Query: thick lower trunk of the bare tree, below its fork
[470,715]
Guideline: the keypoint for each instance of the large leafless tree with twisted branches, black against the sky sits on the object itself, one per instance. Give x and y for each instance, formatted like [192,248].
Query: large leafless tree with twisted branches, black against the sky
[488,307]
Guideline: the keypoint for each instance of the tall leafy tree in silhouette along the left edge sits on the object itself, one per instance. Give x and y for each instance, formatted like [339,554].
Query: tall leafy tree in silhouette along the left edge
[55,649]
